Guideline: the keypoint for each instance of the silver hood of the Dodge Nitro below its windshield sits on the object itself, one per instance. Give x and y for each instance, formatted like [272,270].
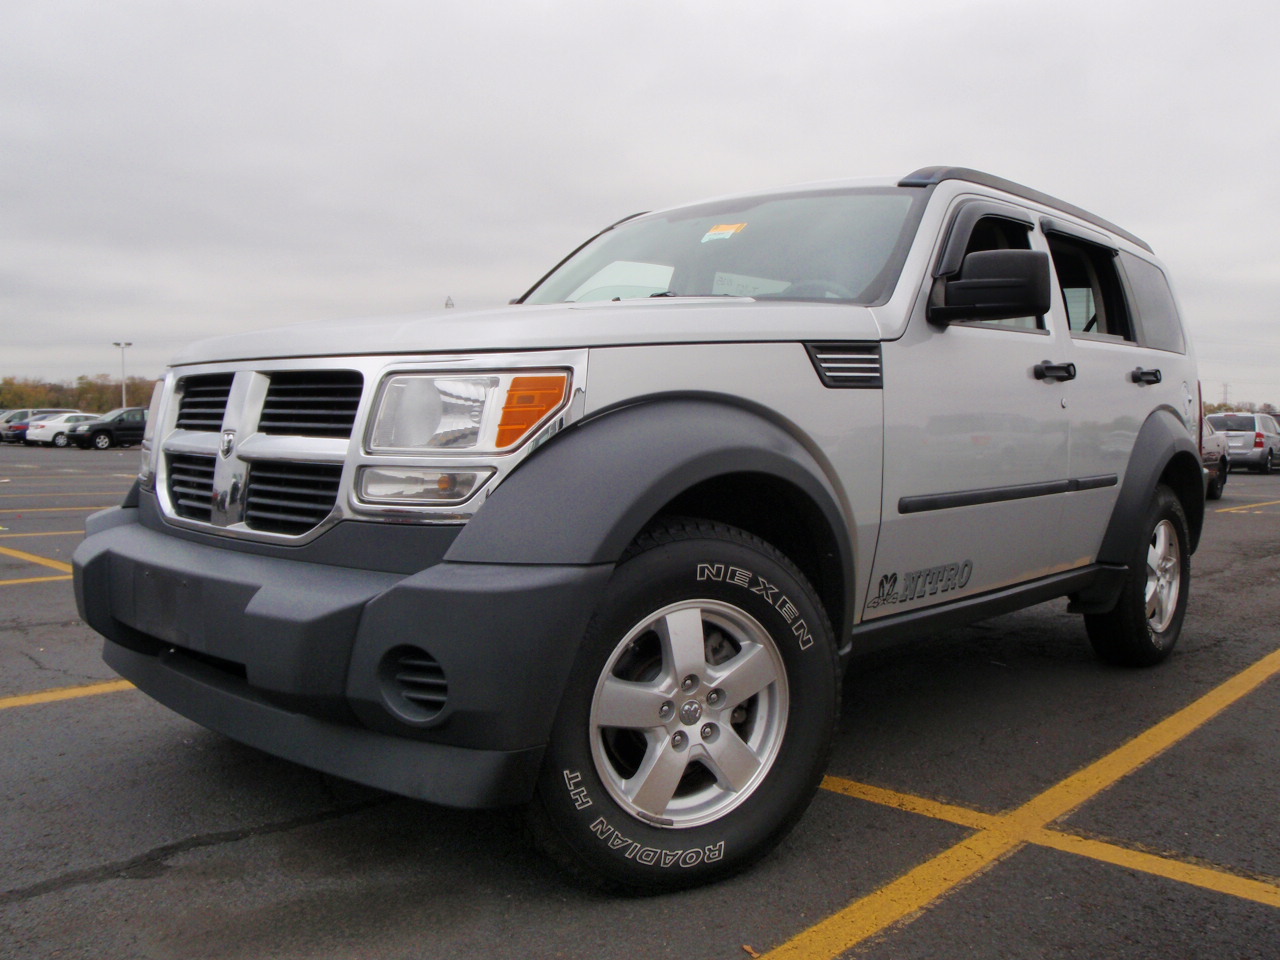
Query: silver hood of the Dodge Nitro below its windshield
[550,327]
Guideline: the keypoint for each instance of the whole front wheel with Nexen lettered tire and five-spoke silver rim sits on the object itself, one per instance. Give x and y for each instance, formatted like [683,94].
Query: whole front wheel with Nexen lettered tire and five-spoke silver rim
[697,724]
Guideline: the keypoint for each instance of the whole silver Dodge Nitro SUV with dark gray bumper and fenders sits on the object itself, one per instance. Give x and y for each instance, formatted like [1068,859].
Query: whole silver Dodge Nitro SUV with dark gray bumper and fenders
[607,551]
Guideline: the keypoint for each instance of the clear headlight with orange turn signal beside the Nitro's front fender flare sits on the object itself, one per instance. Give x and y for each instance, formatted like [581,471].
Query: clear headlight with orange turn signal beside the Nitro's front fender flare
[477,414]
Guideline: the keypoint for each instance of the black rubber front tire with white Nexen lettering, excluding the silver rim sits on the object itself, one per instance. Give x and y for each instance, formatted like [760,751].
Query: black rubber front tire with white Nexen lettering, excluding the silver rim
[609,840]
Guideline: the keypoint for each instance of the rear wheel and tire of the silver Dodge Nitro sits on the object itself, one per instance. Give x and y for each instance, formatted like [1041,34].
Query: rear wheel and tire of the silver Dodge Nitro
[1145,625]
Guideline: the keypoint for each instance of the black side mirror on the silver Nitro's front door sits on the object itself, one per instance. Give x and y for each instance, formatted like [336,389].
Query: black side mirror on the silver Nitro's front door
[995,285]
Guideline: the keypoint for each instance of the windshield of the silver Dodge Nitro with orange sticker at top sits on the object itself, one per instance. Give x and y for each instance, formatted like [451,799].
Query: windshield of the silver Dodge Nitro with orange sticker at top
[845,245]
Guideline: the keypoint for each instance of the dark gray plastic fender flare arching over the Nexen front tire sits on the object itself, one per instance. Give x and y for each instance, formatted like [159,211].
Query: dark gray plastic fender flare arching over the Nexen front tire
[584,497]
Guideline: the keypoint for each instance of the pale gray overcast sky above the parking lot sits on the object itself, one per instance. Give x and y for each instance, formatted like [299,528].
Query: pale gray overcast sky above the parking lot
[177,170]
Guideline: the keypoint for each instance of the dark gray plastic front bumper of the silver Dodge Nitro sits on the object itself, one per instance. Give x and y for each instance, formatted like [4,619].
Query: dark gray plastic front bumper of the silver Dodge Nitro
[289,656]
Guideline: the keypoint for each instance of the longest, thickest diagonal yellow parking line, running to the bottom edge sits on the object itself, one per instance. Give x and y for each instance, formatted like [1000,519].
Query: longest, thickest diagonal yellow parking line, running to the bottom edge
[1003,835]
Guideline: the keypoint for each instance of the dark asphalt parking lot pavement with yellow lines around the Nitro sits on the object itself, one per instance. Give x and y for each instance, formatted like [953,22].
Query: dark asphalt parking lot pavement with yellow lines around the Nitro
[994,793]
